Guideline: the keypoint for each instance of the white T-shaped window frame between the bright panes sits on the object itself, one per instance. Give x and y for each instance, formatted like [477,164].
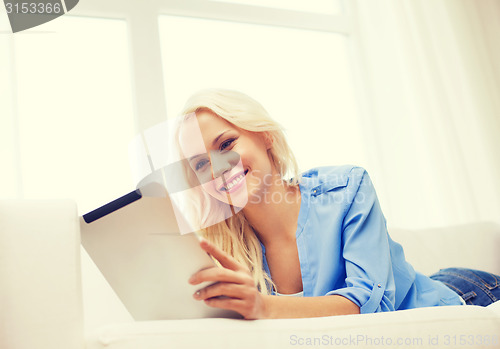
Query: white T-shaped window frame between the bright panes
[142,19]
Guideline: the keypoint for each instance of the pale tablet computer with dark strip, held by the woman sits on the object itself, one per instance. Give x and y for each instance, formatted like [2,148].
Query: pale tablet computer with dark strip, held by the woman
[135,242]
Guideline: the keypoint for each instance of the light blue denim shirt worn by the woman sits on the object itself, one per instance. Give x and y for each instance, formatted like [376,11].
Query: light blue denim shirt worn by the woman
[344,247]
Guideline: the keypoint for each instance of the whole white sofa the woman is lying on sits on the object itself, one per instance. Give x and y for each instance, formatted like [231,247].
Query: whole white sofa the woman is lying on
[52,296]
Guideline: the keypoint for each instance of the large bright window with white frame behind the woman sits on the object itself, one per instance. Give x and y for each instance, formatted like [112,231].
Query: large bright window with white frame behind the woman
[71,107]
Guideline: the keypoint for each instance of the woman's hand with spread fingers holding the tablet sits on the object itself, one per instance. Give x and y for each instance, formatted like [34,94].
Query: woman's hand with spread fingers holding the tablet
[233,281]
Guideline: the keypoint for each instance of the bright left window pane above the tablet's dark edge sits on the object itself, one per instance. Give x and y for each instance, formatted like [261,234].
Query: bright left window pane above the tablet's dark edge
[75,114]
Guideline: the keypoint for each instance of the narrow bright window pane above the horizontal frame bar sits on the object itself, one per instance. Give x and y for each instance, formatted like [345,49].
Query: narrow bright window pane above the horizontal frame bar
[327,7]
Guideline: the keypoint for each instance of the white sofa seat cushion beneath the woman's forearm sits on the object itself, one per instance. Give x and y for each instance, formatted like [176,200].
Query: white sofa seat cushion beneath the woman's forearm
[453,326]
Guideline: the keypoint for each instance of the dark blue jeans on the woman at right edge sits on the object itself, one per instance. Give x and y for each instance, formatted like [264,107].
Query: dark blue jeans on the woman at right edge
[474,286]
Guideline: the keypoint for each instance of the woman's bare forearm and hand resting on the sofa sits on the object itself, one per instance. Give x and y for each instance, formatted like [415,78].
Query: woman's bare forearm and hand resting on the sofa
[236,290]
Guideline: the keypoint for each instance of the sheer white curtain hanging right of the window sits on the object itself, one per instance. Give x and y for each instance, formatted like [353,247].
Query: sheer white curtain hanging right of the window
[430,77]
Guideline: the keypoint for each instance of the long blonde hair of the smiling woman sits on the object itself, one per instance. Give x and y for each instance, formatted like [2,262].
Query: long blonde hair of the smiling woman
[234,234]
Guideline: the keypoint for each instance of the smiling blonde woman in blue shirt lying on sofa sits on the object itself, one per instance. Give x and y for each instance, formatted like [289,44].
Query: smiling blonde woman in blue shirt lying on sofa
[320,235]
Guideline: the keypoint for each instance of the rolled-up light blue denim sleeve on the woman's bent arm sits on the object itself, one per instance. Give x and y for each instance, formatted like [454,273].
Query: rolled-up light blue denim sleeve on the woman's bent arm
[366,251]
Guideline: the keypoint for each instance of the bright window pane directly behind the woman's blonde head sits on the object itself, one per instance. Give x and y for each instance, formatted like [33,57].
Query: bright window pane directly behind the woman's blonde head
[303,78]
